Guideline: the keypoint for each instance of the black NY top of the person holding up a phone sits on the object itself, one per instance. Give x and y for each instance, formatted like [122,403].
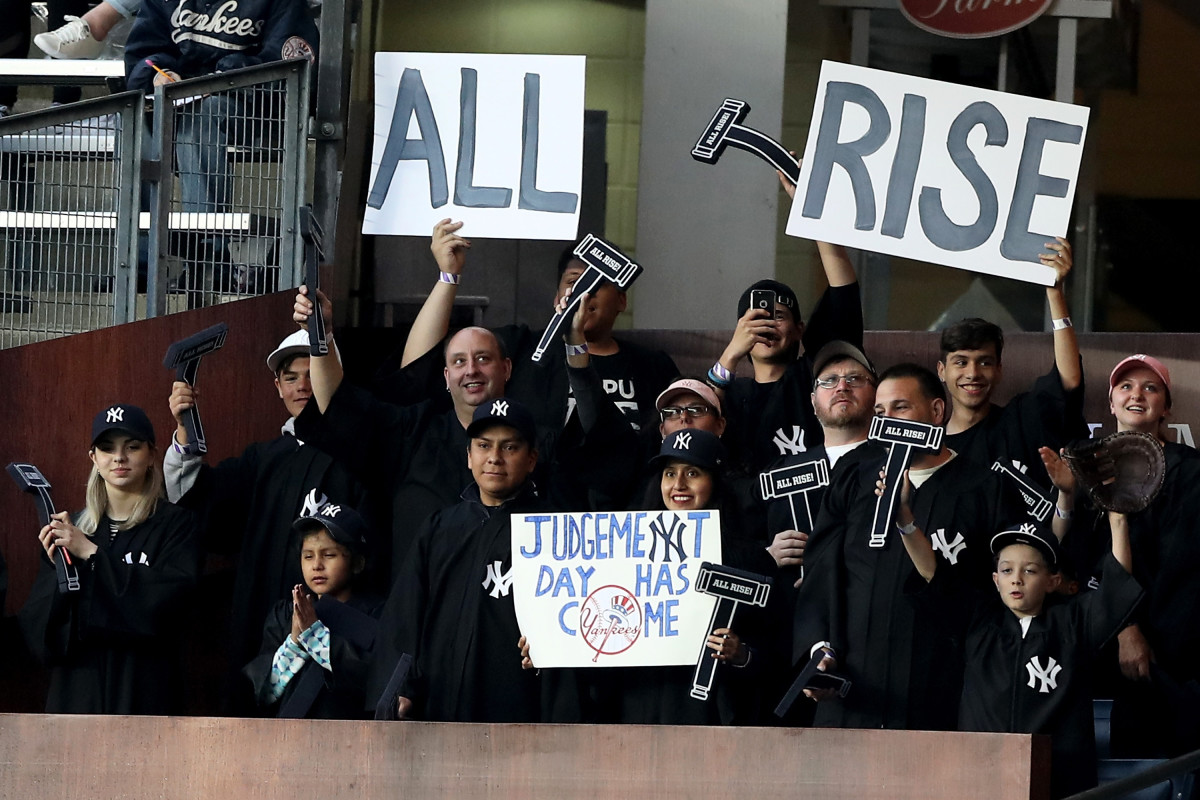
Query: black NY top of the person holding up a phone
[766,422]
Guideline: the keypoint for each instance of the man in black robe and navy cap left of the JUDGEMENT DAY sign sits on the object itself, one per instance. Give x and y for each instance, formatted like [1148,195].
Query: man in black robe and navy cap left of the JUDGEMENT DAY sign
[452,606]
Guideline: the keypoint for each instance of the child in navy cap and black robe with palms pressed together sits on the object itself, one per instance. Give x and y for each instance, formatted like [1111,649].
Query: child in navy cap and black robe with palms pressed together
[316,646]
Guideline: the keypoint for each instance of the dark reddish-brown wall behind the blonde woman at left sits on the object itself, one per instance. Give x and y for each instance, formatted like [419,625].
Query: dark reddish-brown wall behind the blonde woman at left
[50,393]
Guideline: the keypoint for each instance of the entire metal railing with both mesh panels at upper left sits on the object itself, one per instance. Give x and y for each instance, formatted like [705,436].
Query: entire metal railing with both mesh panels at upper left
[212,190]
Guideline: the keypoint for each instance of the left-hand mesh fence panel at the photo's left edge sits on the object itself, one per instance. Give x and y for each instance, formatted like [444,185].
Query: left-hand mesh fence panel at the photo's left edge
[68,245]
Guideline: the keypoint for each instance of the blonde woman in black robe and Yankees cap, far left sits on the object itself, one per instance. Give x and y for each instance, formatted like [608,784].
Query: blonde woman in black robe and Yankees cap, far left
[112,646]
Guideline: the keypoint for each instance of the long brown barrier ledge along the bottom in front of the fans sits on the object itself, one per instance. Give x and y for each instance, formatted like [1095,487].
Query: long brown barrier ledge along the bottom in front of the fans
[51,756]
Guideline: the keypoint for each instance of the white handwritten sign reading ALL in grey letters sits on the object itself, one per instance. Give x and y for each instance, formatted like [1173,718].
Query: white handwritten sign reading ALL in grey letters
[495,141]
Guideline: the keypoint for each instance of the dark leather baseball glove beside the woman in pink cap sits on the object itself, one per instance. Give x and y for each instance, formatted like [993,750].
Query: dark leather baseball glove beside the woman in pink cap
[1123,472]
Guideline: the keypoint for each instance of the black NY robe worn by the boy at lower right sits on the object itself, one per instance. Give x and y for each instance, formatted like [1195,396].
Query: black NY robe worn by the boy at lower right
[1039,681]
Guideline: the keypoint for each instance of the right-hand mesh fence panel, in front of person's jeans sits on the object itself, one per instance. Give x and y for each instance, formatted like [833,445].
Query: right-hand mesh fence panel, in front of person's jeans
[226,215]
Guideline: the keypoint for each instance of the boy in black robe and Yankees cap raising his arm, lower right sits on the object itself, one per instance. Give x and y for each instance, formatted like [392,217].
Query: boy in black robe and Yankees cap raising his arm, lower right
[1030,657]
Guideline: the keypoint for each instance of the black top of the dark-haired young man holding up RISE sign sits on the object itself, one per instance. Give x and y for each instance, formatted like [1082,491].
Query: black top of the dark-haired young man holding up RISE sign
[1048,416]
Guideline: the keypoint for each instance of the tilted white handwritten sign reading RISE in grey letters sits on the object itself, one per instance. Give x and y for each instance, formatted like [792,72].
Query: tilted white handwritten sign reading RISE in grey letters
[956,176]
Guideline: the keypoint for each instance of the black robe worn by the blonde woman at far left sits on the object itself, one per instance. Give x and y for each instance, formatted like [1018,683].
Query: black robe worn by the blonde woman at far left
[113,647]
